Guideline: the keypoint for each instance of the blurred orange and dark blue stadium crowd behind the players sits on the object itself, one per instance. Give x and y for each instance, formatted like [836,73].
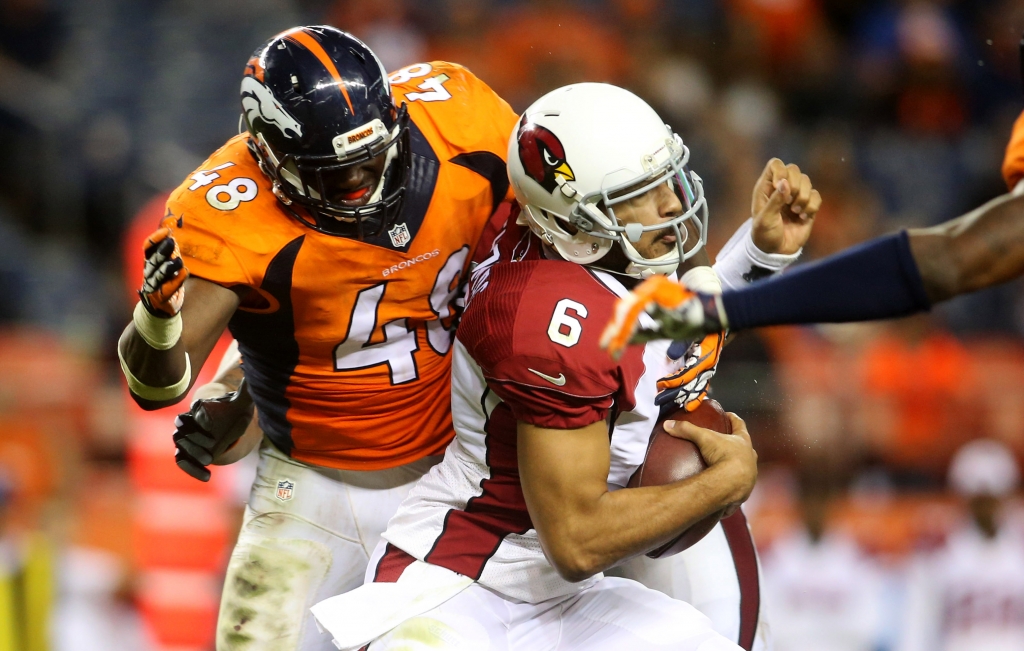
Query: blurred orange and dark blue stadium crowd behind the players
[899,110]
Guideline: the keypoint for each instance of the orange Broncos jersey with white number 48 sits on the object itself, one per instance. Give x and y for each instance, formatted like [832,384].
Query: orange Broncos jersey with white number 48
[347,344]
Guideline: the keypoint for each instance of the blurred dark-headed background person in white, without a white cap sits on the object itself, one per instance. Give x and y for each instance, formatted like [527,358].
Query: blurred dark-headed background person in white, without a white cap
[823,593]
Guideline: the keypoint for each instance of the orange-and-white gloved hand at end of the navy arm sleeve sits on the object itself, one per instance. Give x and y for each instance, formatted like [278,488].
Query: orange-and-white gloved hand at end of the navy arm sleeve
[678,315]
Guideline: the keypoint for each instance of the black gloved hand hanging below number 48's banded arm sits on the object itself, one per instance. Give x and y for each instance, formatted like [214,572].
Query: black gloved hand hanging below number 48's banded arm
[210,428]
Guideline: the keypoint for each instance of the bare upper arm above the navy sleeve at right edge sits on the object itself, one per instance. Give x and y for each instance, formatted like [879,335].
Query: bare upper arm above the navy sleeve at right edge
[982,249]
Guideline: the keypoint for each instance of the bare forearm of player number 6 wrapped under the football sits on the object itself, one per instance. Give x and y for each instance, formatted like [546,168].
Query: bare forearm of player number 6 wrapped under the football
[625,524]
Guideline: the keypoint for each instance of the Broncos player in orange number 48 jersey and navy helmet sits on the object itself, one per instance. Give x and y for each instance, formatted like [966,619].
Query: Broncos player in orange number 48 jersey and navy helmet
[331,238]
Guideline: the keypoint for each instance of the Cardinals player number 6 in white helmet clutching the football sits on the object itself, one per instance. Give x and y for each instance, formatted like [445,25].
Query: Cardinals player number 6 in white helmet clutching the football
[502,545]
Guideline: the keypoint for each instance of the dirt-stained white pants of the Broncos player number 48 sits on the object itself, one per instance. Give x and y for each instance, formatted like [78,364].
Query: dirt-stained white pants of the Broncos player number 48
[308,535]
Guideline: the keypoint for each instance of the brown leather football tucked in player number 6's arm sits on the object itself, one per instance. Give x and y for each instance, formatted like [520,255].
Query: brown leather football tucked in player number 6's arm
[670,459]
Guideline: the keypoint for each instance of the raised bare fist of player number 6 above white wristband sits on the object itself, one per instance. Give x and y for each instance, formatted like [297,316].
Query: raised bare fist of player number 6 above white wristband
[784,207]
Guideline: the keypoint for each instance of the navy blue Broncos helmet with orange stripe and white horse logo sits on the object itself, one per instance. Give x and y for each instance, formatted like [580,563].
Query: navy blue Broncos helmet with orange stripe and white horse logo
[318,104]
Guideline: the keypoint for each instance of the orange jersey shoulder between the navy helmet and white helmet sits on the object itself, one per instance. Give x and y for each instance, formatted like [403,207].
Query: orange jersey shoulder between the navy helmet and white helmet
[464,108]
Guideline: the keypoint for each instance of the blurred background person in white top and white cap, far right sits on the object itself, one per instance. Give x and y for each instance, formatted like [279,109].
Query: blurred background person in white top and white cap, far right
[969,595]
